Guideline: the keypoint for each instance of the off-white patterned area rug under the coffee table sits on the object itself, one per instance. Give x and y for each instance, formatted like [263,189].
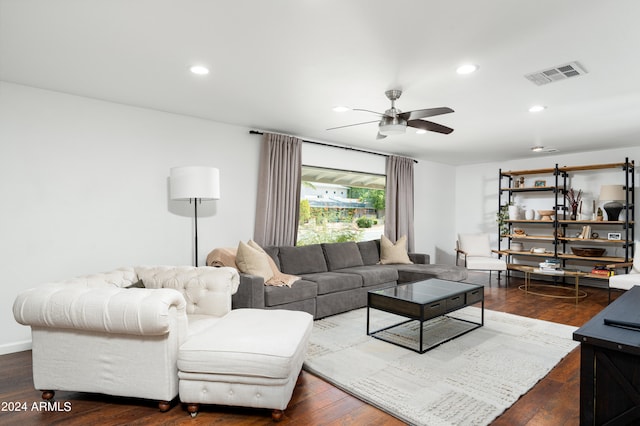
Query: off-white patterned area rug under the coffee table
[470,380]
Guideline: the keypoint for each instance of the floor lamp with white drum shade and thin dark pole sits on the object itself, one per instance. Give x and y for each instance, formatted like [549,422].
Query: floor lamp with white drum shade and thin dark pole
[194,183]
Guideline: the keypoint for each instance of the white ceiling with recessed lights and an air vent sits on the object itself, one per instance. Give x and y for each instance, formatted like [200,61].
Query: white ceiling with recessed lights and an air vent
[282,65]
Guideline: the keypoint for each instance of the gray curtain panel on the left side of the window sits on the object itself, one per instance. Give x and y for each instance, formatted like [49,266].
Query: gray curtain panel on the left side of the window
[278,200]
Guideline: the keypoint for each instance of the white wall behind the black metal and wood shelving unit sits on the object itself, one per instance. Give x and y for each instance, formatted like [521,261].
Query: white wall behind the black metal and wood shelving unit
[476,190]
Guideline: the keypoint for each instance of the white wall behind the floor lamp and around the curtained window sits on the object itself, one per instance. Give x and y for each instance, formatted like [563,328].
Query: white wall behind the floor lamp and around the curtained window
[83,187]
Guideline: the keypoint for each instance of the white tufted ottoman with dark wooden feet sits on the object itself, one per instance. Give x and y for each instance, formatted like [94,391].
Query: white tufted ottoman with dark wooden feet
[250,358]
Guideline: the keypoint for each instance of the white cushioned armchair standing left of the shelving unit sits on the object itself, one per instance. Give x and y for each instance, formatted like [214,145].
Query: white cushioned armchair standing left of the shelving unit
[475,251]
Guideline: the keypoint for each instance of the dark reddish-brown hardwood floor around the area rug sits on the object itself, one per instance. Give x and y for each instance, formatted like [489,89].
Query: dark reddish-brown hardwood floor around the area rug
[553,401]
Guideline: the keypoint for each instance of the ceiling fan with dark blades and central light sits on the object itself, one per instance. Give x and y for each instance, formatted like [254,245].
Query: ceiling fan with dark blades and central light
[395,122]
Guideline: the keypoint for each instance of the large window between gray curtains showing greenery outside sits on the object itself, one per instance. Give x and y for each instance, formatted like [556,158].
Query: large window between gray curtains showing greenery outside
[340,205]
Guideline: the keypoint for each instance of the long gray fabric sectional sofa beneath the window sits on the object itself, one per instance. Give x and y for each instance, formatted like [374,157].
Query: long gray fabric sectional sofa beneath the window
[335,277]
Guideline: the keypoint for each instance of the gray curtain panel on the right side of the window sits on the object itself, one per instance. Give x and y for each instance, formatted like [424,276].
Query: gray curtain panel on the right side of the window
[399,200]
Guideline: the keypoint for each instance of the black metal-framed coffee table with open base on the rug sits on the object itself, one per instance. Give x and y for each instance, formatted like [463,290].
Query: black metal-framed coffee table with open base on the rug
[425,300]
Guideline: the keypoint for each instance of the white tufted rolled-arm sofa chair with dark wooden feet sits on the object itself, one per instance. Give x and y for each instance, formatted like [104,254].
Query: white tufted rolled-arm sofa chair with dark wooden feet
[92,334]
